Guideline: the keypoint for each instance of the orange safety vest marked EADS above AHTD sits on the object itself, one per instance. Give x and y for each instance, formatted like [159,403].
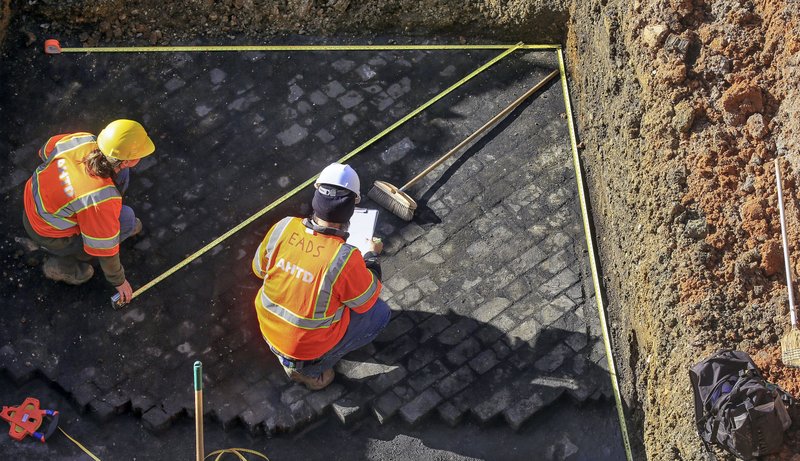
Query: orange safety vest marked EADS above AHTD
[311,281]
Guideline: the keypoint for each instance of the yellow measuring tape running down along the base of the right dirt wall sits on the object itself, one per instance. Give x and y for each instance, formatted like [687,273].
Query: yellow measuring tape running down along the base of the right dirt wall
[592,261]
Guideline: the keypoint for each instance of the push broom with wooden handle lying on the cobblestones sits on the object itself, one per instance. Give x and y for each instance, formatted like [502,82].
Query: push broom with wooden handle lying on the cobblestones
[399,202]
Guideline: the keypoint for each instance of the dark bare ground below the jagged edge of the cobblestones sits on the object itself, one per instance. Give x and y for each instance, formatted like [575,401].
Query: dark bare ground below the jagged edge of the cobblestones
[124,437]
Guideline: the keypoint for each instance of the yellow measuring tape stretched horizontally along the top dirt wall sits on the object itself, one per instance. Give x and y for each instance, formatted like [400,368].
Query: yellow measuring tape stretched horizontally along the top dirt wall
[216,48]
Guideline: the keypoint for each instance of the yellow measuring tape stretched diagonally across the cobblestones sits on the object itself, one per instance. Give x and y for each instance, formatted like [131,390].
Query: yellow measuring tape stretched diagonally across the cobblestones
[289,194]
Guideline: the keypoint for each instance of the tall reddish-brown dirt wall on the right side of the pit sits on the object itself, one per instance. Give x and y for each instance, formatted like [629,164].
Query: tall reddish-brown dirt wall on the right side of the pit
[683,105]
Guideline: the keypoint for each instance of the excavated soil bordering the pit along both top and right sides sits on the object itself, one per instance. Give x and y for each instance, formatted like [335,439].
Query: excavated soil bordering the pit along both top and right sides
[682,105]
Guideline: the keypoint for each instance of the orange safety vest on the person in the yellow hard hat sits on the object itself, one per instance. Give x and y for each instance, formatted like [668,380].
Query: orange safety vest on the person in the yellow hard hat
[62,199]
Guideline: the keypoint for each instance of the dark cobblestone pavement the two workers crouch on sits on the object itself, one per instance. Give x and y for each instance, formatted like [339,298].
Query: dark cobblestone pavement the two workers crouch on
[494,312]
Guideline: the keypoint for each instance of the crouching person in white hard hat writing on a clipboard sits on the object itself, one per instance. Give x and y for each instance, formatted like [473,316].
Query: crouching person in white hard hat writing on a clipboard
[319,299]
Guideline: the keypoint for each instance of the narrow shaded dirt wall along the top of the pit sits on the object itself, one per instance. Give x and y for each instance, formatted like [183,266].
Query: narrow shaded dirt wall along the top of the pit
[174,22]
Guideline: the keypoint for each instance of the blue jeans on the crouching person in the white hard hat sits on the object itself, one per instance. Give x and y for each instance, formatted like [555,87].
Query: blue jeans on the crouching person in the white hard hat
[362,330]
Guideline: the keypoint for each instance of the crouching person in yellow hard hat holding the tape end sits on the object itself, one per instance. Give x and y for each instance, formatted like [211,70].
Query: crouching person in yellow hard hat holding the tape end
[73,202]
